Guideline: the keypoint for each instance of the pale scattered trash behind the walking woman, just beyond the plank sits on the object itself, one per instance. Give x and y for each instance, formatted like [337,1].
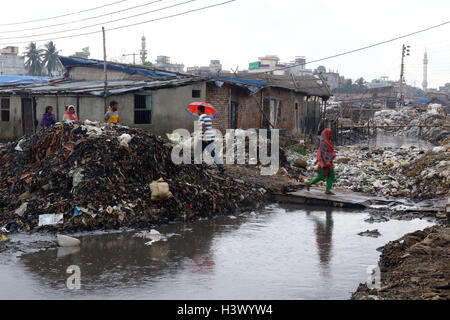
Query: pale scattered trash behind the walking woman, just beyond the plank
[406,172]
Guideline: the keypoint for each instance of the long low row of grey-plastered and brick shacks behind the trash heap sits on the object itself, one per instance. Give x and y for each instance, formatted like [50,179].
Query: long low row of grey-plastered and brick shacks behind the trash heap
[156,100]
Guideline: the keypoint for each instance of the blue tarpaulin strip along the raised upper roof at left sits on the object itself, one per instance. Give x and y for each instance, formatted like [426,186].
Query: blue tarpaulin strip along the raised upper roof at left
[78,62]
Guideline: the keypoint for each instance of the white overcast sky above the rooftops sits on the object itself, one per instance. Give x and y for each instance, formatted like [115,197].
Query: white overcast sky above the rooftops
[239,32]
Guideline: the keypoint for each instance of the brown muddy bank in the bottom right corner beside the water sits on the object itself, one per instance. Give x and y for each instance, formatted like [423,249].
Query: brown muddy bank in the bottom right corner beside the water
[415,267]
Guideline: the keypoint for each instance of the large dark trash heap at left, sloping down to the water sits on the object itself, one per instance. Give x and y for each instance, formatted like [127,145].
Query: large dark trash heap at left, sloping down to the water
[77,177]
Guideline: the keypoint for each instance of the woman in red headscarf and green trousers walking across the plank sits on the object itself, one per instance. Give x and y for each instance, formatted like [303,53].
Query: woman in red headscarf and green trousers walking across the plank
[325,157]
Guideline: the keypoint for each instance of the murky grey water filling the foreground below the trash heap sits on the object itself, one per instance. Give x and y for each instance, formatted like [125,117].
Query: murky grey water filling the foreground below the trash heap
[280,253]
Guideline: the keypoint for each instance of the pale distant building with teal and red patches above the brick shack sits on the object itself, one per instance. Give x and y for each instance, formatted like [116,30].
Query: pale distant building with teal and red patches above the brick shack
[271,64]
